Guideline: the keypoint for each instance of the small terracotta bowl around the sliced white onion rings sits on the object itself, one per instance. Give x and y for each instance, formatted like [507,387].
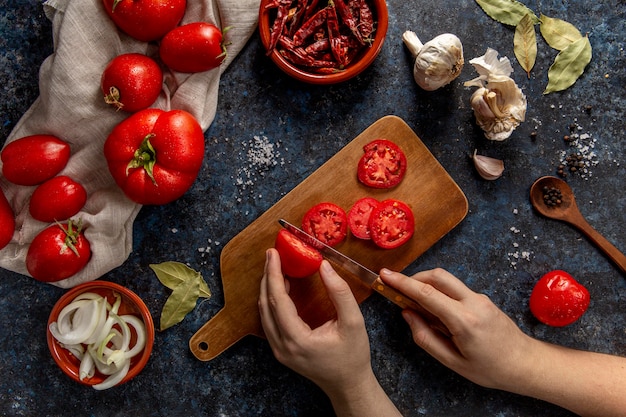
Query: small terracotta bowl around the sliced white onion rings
[130,304]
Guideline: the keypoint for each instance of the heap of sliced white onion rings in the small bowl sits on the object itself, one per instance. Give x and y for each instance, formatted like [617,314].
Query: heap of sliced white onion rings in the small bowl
[91,329]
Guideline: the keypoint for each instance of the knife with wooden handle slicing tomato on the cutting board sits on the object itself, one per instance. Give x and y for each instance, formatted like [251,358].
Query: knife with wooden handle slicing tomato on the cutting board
[367,276]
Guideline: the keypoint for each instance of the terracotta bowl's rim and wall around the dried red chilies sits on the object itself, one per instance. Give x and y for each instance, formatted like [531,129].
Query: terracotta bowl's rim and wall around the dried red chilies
[361,61]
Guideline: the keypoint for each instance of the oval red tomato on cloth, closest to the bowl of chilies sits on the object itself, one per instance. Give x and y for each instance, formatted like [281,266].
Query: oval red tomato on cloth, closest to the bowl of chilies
[194,47]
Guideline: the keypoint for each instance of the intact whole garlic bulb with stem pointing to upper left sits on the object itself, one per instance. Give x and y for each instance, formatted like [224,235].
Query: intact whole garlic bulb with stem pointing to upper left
[437,62]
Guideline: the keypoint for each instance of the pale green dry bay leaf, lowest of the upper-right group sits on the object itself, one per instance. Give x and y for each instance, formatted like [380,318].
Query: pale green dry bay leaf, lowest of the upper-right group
[568,65]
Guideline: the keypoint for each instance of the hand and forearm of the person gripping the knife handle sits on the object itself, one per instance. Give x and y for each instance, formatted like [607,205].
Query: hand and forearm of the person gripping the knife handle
[487,347]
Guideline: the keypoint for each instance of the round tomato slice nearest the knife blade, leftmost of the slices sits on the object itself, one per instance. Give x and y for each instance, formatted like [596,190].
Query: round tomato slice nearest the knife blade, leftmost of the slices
[327,222]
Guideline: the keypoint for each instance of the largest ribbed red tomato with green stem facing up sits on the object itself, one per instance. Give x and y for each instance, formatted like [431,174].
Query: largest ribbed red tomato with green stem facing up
[155,156]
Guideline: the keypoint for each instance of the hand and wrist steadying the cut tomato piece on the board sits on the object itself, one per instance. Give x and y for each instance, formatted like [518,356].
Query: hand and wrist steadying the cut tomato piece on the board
[335,355]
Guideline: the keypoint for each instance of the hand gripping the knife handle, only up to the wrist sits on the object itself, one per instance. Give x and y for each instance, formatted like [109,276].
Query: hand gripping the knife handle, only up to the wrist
[485,345]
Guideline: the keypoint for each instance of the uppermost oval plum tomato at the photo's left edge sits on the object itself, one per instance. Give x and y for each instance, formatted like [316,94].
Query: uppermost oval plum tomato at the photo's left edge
[33,159]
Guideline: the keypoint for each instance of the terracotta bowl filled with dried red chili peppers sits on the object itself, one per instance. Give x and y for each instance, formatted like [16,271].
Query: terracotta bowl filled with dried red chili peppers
[323,41]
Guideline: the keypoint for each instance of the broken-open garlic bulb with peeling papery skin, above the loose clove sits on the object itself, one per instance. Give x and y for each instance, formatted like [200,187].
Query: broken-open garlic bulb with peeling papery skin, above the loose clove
[499,104]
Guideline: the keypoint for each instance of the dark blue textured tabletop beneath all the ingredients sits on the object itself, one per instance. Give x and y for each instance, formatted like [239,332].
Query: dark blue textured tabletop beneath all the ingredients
[307,125]
